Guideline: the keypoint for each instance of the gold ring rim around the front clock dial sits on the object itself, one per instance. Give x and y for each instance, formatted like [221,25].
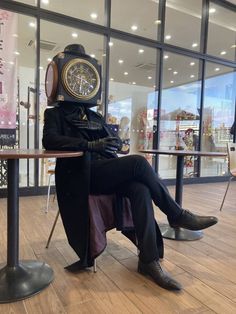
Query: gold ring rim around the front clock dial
[66,85]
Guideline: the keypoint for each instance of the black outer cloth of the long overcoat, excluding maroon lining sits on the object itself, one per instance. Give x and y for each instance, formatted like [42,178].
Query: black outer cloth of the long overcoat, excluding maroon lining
[73,180]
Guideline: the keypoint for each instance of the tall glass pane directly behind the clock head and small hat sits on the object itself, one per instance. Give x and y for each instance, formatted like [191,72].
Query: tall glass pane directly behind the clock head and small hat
[54,38]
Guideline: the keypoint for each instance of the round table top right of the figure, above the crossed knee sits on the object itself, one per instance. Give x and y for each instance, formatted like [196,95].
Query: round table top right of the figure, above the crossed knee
[183,152]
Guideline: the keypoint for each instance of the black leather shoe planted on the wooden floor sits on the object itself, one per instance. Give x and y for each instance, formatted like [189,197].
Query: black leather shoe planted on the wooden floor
[161,277]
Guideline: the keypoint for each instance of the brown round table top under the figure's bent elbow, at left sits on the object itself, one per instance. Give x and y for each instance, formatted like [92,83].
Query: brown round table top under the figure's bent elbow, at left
[36,153]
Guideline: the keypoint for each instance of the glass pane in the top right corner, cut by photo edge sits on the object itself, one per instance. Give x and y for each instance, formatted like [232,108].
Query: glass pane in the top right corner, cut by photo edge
[222,26]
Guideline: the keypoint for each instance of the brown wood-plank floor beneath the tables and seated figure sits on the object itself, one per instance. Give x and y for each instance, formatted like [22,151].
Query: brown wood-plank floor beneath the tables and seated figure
[206,268]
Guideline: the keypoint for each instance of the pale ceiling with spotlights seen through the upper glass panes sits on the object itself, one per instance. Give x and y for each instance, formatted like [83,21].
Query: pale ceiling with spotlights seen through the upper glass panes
[183,23]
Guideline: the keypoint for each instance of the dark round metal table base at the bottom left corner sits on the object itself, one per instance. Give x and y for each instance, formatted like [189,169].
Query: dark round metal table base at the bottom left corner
[24,280]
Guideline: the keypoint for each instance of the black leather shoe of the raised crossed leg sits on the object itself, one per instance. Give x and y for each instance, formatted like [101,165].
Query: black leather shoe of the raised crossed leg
[191,221]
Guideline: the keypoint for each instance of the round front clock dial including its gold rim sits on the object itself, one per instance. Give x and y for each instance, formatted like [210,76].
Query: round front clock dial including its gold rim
[81,79]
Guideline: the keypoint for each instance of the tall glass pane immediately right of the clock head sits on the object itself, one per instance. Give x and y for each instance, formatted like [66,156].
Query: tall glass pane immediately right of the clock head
[132,96]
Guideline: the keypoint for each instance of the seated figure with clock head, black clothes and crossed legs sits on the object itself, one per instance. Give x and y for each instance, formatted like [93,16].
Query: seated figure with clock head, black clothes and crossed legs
[73,86]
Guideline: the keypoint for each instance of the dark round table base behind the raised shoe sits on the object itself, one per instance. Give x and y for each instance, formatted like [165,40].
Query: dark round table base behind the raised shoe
[179,233]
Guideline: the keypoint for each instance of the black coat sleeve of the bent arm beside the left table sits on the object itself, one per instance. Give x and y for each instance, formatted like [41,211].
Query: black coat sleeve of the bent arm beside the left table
[53,138]
